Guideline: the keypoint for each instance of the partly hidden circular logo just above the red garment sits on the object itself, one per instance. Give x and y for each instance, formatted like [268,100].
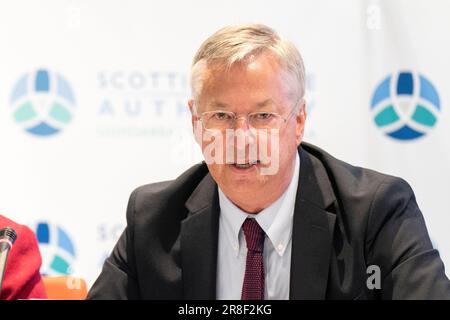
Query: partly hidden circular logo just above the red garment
[57,250]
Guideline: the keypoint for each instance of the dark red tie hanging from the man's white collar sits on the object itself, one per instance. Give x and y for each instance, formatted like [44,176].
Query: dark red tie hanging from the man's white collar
[253,287]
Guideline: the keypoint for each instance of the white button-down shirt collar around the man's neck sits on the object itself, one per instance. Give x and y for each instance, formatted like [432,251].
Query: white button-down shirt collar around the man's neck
[275,220]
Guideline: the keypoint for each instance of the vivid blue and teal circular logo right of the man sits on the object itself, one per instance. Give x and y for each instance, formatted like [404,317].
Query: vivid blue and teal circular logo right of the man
[405,105]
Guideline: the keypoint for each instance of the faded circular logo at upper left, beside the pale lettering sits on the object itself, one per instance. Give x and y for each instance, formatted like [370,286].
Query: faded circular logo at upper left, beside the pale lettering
[42,102]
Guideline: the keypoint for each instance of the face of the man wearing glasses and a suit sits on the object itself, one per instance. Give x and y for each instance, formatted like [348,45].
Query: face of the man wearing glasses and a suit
[259,86]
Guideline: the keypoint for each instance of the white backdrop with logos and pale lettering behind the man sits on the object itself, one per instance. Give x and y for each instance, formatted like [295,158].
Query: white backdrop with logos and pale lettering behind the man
[127,64]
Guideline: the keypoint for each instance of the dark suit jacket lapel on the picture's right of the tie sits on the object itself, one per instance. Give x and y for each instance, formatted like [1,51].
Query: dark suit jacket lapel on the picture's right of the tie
[313,227]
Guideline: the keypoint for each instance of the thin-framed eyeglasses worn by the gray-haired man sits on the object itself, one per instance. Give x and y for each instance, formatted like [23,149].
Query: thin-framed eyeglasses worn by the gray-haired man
[222,120]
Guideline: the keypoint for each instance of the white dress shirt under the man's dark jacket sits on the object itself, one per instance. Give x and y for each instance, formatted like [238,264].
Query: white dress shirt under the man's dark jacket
[276,221]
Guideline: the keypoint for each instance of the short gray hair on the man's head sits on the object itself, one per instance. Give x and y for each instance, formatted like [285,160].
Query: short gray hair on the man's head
[238,43]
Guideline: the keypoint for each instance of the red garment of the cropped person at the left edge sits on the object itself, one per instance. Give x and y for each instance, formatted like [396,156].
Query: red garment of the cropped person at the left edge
[22,279]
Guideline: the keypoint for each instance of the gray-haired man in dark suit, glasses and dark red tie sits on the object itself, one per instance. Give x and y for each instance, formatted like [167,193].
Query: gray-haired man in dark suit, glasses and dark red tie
[298,224]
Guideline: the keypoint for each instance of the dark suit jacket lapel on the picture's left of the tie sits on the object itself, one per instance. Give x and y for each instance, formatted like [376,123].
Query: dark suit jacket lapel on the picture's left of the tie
[199,238]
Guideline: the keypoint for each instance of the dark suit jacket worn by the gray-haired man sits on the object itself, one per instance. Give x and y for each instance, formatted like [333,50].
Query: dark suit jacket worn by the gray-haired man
[346,219]
